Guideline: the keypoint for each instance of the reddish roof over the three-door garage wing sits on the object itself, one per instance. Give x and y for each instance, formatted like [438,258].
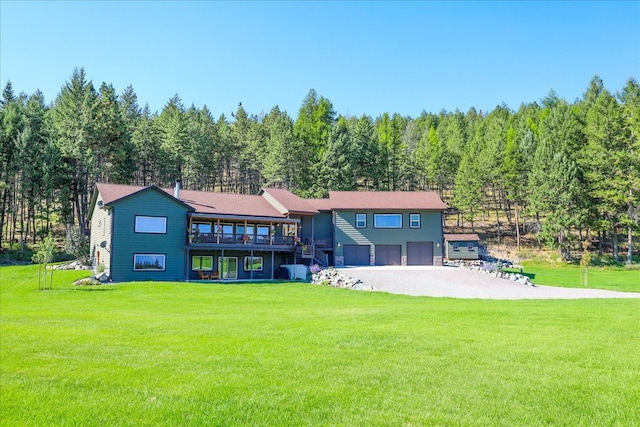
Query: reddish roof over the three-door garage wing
[404,200]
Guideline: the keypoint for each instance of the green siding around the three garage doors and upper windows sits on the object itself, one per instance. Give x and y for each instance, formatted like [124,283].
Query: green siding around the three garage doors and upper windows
[347,234]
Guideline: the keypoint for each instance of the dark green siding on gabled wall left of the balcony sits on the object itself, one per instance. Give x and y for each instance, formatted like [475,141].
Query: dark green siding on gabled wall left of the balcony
[126,242]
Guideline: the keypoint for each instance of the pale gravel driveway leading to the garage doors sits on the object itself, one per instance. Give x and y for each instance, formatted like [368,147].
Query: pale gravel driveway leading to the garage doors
[461,283]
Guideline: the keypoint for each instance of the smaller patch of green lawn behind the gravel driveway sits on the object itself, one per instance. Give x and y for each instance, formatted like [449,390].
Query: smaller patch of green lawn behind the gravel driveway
[613,278]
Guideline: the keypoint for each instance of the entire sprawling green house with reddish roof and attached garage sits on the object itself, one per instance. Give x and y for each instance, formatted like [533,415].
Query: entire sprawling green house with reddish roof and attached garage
[152,233]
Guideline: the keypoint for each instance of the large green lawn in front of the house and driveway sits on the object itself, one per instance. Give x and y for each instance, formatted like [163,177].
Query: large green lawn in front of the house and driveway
[141,354]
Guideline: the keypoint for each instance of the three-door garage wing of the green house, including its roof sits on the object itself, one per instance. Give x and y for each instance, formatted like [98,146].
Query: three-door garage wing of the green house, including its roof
[384,227]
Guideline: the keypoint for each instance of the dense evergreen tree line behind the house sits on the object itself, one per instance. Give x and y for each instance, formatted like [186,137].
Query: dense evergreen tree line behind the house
[563,171]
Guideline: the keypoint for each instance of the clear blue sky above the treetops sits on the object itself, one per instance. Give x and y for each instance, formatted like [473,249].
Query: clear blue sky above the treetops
[365,57]
